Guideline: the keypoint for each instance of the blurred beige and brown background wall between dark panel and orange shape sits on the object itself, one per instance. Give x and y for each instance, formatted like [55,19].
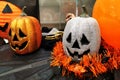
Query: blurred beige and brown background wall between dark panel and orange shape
[52,12]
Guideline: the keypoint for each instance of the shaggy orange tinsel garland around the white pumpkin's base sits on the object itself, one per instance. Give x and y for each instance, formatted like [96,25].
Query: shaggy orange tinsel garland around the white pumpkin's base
[89,63]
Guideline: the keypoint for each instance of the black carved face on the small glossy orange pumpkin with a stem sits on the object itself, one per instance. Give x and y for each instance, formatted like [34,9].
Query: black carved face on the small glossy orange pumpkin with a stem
[20,39]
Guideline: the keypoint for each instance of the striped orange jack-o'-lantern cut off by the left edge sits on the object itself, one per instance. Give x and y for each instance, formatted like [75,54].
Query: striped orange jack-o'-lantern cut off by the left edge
[7,12]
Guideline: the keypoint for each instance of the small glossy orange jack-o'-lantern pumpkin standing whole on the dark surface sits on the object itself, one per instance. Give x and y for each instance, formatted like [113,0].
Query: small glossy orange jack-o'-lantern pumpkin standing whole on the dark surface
[24,34]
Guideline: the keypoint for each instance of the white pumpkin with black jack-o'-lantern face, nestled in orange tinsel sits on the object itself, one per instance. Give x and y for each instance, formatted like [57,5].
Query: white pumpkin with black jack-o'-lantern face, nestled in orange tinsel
[81,36]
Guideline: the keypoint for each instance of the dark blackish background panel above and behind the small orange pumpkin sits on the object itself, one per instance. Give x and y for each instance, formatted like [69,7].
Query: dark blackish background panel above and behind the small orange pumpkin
[32,6]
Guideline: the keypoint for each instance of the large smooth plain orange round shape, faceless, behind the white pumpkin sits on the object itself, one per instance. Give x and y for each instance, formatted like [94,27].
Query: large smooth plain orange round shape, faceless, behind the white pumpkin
[107,13]
